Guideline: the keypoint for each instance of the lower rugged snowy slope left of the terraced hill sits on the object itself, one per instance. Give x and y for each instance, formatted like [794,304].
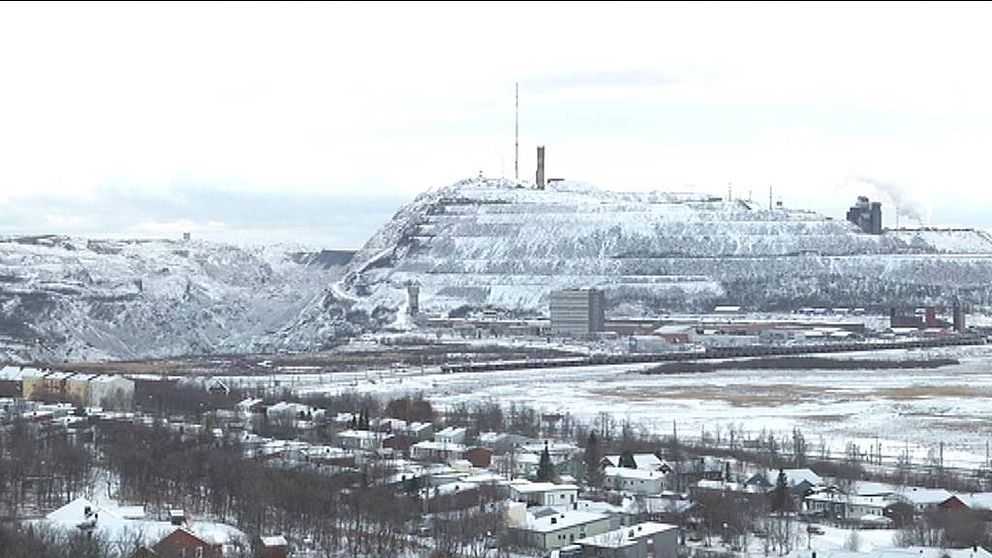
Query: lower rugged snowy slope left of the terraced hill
[71,299]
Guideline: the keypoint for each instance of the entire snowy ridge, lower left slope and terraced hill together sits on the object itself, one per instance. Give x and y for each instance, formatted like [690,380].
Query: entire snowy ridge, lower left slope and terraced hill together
[473,244]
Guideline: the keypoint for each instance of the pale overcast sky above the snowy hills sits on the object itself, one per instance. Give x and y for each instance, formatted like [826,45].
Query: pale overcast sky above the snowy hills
[313,123]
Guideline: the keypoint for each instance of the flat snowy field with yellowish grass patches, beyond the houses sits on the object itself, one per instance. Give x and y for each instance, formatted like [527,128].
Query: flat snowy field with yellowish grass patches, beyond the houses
[914,408]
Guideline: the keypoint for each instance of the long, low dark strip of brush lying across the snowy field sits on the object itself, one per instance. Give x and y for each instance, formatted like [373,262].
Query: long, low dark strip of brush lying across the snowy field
[799,363]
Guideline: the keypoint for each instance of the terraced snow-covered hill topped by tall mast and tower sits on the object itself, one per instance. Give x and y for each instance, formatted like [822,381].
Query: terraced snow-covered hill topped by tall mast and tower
[497,243]
